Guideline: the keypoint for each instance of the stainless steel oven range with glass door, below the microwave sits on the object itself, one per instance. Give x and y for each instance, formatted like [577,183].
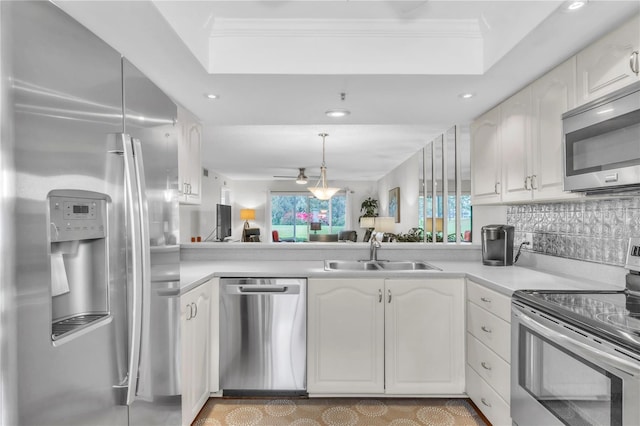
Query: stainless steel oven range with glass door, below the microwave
[563,373]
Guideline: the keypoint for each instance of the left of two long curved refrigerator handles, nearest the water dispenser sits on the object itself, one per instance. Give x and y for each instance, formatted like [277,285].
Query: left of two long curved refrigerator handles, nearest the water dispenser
[135,241]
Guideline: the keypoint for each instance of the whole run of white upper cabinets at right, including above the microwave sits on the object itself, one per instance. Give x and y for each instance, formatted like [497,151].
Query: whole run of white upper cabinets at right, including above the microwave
[517,147]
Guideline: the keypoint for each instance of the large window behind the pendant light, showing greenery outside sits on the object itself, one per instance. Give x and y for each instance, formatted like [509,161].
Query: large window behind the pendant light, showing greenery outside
[292,214]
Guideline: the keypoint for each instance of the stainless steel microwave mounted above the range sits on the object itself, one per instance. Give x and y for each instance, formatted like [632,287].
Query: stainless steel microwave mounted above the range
[602,143]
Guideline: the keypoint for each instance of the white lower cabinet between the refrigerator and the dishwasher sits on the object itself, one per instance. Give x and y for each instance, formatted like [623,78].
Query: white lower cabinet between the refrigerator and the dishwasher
[195,341]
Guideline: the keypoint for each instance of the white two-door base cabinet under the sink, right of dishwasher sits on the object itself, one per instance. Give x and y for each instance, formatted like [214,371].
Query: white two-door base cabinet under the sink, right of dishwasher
[376,336]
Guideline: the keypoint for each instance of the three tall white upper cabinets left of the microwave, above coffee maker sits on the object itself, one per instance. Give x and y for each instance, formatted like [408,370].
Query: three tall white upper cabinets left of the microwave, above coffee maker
[528,135]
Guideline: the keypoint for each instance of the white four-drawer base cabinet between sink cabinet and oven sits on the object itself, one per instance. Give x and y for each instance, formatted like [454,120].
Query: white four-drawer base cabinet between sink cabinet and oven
[489,352]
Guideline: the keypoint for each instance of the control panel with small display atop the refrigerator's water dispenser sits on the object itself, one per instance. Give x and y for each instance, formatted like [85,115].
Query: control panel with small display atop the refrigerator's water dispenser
[74,218]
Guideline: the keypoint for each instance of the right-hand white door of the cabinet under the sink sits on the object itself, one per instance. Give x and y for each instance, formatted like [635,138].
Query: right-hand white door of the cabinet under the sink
[424,336]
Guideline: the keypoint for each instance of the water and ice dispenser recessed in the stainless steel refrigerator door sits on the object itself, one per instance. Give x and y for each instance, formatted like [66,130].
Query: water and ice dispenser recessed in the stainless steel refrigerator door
[79,260]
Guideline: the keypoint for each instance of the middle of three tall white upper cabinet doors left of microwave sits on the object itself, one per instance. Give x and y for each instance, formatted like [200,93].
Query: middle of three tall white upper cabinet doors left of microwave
[515,144]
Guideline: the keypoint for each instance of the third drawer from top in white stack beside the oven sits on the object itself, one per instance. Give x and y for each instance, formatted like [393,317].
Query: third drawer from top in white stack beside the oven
[493,369]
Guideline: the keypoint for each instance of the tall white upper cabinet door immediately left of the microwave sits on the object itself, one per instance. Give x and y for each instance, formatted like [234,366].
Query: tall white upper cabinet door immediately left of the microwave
[552,95]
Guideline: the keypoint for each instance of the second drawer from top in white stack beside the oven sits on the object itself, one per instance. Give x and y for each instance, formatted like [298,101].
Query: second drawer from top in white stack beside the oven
[494,332]
